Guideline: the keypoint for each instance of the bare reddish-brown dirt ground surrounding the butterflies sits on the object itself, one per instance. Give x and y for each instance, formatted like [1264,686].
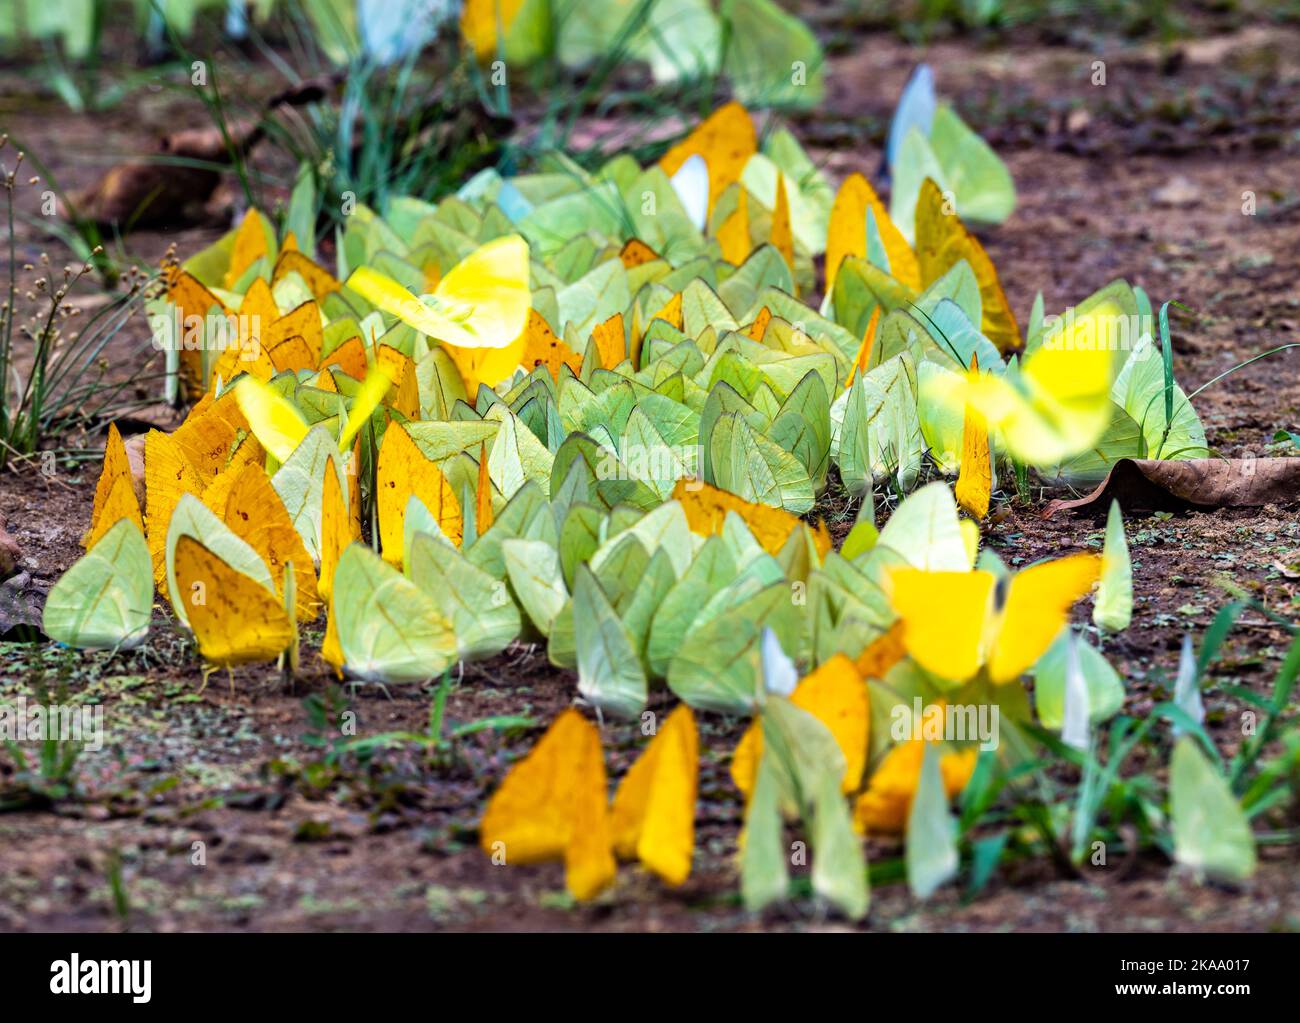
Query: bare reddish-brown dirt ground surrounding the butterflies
[393,846]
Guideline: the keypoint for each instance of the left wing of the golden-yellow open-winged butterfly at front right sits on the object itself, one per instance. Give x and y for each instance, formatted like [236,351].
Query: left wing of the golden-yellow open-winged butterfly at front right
[944,617]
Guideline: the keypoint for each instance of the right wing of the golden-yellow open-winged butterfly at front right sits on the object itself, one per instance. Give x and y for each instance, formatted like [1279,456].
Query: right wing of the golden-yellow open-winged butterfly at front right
[1038,605]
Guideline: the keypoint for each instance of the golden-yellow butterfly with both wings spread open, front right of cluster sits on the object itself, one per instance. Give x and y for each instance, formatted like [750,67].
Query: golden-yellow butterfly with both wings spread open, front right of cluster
[956,623]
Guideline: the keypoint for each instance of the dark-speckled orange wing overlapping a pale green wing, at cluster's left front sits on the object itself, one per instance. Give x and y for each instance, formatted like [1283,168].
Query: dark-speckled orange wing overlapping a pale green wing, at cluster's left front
[236,621]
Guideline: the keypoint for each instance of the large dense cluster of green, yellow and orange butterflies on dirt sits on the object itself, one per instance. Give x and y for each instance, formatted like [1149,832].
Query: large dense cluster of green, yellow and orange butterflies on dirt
[587,410]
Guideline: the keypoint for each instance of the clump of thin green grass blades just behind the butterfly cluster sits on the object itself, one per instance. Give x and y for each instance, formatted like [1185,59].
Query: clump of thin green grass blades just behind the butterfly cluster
[365,132]
